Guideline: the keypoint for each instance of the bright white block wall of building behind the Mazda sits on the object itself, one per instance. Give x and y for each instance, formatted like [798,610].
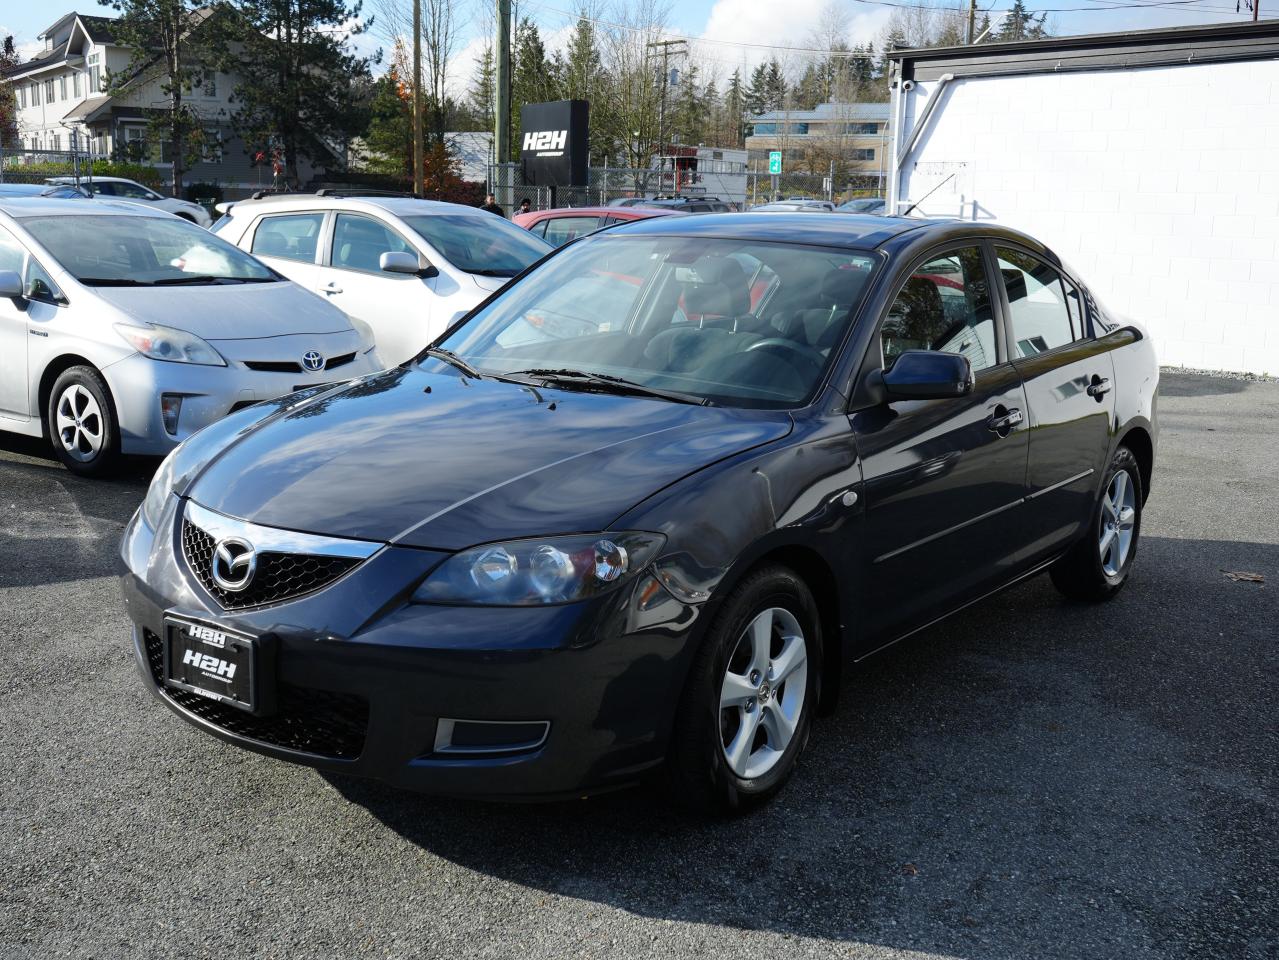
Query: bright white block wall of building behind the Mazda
[1159,186]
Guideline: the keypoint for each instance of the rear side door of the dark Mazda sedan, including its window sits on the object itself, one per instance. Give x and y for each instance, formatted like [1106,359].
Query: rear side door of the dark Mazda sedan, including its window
[1069,378]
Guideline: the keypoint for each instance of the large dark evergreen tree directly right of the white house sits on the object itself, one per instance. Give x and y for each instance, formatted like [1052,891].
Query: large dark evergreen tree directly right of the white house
[299,79]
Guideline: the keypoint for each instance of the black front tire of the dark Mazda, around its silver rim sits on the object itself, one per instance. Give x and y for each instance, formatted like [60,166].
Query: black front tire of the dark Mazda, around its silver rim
[700,775]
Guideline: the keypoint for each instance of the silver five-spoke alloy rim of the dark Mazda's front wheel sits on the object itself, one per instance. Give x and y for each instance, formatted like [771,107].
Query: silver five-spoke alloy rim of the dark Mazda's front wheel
[763,693]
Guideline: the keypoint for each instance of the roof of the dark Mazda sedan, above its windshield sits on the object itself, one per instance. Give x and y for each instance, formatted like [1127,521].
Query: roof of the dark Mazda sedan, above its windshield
[851,231]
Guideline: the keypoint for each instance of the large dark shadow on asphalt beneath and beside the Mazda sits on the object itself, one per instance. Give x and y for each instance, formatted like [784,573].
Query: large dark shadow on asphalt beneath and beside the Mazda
[1028,779]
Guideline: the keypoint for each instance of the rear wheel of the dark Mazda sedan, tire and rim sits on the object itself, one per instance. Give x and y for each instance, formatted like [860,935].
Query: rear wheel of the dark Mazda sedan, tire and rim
[1098,567]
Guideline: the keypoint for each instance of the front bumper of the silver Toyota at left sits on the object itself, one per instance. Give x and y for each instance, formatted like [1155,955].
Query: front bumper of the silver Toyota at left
[208,393]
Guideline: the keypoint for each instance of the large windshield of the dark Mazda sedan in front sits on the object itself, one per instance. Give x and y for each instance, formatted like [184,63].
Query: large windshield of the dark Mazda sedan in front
[734,323]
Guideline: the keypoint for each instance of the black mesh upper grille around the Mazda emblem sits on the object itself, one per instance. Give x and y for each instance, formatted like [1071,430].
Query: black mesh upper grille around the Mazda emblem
[279,577]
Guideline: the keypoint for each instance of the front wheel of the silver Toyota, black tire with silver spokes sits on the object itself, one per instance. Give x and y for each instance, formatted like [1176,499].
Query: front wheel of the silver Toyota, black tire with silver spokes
[81,422]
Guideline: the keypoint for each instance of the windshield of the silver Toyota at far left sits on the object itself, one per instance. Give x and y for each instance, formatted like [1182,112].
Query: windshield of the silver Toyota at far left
[143,251]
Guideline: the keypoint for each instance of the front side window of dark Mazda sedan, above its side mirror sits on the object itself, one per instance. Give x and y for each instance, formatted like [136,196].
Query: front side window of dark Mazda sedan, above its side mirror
[945,306]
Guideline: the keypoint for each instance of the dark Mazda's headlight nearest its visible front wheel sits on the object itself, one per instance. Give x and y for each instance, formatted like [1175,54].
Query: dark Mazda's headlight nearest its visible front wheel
[534,572]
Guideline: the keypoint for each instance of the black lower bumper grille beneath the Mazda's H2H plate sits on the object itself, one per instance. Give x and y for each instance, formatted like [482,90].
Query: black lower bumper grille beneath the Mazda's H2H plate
[322,723]
